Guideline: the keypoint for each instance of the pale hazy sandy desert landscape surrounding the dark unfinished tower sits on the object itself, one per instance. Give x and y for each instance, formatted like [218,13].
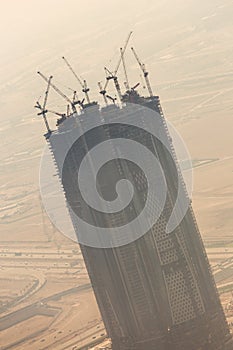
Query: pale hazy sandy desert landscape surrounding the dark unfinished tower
[188,49]
